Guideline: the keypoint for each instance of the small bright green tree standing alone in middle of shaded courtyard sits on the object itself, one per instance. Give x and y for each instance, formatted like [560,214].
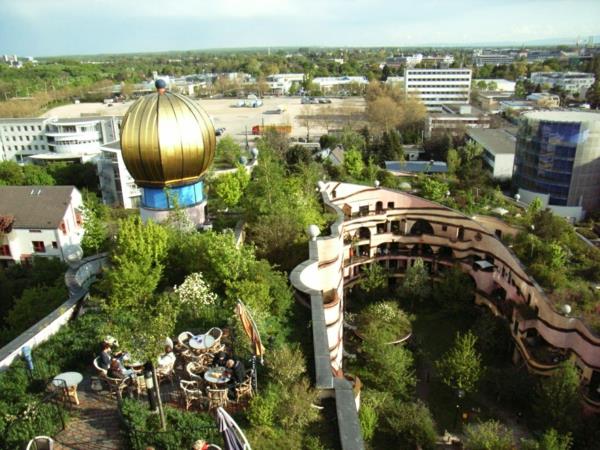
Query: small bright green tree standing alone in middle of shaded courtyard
[460,367]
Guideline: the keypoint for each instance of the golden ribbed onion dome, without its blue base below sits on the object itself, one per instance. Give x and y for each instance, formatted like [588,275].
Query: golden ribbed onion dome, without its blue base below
[167,140]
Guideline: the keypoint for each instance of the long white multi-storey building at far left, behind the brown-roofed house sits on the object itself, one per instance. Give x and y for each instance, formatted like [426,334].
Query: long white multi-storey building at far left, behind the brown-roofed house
[52,139]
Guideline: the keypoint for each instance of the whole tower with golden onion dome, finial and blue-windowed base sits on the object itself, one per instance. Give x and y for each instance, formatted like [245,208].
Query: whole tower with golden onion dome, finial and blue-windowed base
[168,142]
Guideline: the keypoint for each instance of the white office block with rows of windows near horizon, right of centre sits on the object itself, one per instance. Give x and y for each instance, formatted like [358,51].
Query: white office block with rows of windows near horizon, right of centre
[437,87]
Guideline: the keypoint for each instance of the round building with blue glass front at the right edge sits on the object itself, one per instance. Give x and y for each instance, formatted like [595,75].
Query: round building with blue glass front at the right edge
[558,160]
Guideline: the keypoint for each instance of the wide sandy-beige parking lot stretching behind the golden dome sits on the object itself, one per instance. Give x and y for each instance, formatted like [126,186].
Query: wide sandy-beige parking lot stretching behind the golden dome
[235,120]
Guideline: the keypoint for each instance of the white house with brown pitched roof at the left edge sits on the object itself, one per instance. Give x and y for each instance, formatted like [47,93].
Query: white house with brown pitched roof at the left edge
[38,221]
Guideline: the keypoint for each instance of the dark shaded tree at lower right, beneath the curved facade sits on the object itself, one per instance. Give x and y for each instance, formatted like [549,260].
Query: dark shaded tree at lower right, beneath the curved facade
[557,399]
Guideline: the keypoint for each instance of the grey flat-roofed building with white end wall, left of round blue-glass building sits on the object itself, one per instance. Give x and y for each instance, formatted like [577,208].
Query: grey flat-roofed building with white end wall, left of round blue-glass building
[498,149]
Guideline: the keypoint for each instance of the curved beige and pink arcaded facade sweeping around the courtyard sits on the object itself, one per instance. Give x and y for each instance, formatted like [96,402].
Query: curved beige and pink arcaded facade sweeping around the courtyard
[393,228]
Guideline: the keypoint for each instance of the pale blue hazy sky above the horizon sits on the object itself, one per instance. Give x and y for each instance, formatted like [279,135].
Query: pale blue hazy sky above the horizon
[67,27]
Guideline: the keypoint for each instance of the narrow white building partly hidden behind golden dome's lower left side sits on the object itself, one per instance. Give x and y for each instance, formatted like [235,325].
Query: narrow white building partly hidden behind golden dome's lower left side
[116,184]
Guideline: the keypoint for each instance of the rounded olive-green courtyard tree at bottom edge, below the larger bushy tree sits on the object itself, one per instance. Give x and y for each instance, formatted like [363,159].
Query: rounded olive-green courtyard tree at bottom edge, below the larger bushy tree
[412,424]
